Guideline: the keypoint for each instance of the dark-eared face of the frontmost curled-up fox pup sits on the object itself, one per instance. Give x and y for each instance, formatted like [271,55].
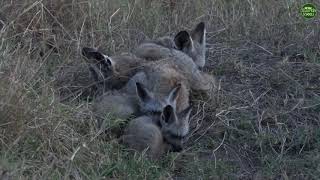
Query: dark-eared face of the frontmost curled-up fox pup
[174,127]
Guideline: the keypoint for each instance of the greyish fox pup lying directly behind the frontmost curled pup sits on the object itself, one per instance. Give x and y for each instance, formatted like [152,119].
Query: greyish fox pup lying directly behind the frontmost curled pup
[123,104]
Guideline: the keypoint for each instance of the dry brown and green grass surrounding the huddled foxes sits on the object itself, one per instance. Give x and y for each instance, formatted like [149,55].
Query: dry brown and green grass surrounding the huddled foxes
[261,123]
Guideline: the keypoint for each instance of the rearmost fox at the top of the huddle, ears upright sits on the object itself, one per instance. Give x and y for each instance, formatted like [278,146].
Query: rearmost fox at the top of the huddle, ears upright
[183,47]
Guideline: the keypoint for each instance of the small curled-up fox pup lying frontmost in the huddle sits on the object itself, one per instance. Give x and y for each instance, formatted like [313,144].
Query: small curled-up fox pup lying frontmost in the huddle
[158,134]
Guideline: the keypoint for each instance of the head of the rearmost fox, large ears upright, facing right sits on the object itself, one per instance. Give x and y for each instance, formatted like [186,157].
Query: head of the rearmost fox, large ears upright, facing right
[193,45]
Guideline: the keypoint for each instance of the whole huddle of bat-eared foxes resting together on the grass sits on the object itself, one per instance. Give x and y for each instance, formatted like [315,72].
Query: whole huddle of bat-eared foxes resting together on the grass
[152,84]
